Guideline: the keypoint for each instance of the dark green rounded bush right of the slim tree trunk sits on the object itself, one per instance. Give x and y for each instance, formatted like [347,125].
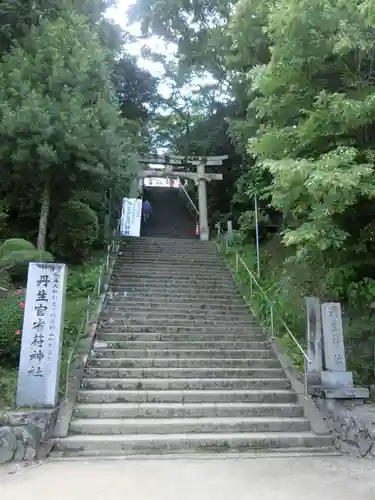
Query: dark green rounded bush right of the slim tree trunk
[74,232]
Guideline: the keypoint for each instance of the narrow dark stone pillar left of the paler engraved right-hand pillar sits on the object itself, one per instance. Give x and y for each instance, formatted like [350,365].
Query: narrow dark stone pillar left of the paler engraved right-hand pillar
[314,337]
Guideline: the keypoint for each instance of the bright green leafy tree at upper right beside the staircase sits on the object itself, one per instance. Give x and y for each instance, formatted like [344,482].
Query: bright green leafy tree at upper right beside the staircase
[316,100]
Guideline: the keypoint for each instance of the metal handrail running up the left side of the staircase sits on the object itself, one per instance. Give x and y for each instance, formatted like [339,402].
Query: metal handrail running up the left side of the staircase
[97,291]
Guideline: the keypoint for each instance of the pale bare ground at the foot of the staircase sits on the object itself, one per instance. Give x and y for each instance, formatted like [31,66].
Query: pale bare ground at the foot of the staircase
[334,478]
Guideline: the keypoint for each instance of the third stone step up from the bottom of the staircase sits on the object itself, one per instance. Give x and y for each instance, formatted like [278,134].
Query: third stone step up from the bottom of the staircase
[183,410]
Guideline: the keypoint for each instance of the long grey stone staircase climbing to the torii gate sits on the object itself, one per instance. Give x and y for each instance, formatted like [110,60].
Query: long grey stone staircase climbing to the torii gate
[181,366]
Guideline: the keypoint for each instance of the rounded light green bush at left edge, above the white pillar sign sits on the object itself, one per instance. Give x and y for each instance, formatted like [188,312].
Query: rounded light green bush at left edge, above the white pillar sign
[15,255]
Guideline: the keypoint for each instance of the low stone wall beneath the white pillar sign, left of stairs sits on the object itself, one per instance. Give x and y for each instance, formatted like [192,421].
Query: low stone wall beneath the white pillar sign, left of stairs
[26,435]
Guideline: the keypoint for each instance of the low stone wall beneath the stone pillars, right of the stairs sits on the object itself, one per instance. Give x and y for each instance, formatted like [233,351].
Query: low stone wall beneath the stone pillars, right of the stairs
[352,425]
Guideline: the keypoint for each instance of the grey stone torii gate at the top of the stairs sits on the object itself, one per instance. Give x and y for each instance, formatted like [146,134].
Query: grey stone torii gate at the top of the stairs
[200,175]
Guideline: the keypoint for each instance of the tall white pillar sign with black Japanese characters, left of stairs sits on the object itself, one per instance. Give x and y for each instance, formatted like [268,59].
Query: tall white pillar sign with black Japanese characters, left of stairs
[39,367]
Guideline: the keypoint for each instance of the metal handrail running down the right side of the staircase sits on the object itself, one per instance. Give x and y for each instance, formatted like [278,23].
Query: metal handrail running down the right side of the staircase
[271,305]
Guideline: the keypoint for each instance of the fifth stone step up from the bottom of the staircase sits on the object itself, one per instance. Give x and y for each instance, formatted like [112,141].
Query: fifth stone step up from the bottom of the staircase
[184,384]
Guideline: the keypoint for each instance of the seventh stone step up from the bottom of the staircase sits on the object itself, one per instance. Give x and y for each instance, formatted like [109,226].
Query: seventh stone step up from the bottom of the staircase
[182,363]
